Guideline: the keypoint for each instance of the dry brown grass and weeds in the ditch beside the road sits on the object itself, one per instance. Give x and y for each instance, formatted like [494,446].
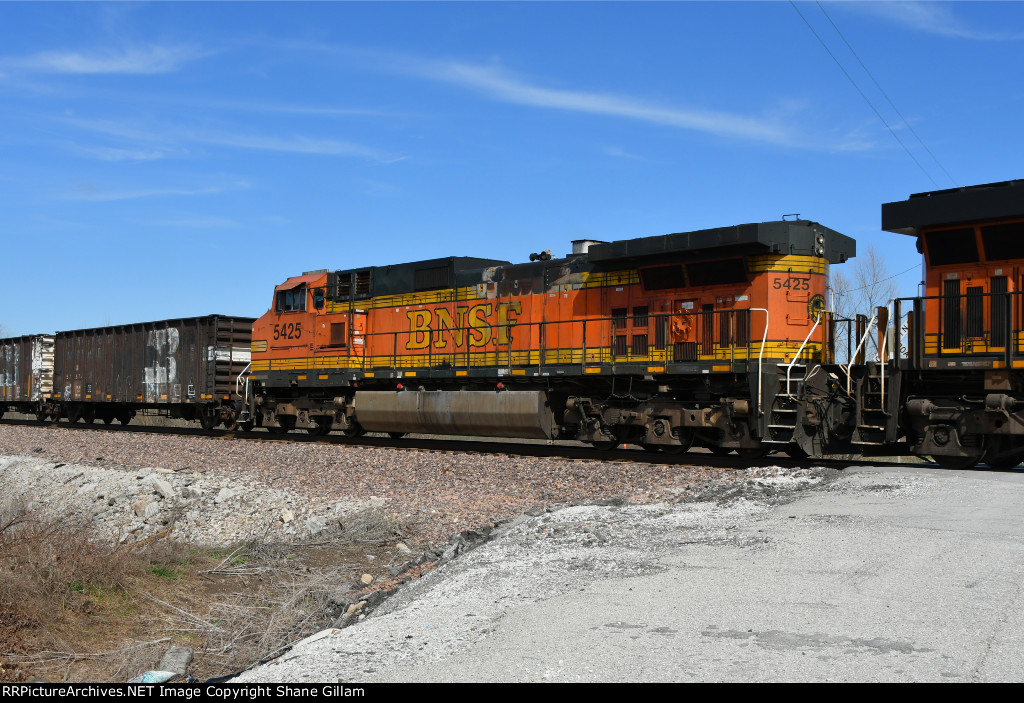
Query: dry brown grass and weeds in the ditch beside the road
[74,608]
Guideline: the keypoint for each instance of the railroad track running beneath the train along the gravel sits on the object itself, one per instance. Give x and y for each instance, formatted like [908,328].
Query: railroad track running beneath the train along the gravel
[561,450]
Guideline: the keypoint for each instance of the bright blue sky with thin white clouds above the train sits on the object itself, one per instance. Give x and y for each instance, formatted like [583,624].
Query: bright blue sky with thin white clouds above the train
[175,160]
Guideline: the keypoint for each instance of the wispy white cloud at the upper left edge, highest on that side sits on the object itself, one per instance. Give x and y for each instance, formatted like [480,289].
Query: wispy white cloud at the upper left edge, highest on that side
[148,60]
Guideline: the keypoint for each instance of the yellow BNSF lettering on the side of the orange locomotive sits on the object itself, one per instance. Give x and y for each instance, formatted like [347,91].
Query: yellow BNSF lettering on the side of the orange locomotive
[478,324]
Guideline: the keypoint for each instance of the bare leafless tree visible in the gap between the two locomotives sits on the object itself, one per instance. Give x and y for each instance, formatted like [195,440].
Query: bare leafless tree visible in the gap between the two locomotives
[866,287]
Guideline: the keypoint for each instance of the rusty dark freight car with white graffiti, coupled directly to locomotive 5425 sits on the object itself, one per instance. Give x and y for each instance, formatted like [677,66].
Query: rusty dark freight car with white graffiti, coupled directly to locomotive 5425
[184,369]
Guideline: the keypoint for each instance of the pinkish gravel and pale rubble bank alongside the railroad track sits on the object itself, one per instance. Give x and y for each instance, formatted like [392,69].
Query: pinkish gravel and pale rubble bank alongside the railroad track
[222,491]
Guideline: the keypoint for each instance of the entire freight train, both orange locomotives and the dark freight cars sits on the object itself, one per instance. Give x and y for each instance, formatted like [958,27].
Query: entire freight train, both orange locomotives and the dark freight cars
[719,338]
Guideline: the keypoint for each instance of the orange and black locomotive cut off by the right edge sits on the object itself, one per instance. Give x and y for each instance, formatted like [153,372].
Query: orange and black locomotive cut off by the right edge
[956,385]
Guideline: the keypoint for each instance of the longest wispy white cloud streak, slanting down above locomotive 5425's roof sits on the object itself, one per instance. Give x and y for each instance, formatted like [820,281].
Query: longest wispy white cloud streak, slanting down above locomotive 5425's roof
[501,85]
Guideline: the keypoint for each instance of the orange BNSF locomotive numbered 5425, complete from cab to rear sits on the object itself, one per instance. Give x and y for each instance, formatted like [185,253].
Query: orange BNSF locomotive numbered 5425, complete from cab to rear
[700,337]
